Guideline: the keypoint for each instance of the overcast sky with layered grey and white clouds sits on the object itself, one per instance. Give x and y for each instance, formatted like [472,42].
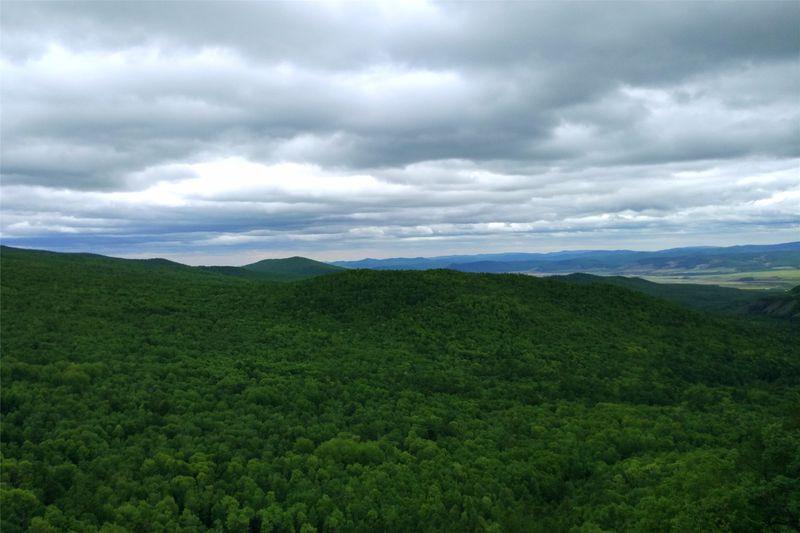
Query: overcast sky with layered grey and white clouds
[224,133]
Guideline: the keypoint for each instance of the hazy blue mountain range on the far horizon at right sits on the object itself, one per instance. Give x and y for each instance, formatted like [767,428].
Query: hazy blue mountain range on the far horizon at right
[620,262]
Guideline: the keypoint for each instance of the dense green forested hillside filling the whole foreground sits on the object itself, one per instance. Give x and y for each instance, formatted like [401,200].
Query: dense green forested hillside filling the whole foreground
[141,397]
